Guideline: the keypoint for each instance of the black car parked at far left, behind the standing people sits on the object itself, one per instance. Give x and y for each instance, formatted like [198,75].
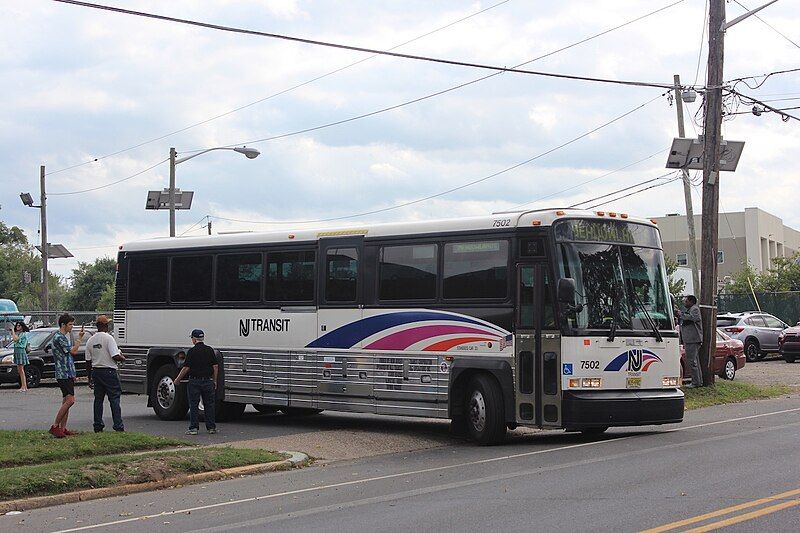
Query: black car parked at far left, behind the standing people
[41,357]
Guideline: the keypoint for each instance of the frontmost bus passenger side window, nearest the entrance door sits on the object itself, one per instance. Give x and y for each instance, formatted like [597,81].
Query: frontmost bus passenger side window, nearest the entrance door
[476,269]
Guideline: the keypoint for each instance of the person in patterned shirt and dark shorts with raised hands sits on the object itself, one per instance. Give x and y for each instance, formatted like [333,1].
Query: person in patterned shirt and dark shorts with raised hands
[63,352]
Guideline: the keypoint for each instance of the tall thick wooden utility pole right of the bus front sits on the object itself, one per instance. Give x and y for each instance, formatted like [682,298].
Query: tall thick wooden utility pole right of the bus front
[712,133]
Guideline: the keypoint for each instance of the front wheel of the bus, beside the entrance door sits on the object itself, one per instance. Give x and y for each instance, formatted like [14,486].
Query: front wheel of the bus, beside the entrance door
[484,411]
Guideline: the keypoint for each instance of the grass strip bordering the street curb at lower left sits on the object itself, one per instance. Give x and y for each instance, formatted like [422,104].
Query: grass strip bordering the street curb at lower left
[105,471]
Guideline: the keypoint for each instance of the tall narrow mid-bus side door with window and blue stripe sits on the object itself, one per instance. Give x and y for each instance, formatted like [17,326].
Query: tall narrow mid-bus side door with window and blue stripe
[346,376]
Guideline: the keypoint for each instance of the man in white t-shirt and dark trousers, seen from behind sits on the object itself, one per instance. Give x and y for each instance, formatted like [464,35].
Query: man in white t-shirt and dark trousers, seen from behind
[102,356]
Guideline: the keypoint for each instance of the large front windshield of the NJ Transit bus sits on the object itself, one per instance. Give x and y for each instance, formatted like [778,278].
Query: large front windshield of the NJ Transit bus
[619,285]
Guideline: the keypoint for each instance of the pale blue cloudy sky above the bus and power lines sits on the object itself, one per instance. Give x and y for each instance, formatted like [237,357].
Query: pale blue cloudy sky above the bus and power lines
[81,84]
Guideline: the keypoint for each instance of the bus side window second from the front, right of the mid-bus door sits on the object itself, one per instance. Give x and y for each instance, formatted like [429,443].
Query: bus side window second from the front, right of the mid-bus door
[408,272]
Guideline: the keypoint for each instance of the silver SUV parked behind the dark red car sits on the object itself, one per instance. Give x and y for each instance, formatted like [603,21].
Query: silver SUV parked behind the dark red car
[758,331]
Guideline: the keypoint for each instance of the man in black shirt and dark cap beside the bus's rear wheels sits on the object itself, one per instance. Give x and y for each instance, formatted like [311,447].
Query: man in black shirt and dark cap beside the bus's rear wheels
[202,368]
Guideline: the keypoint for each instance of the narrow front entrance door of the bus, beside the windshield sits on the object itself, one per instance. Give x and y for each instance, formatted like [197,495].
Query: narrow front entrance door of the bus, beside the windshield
[537,344]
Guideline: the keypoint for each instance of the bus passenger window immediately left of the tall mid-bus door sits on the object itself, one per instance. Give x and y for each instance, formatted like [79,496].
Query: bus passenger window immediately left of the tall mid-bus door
[290,276]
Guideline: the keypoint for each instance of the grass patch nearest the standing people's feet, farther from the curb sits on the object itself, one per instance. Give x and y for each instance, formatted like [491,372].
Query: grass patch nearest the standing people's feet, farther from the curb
[28,447]
